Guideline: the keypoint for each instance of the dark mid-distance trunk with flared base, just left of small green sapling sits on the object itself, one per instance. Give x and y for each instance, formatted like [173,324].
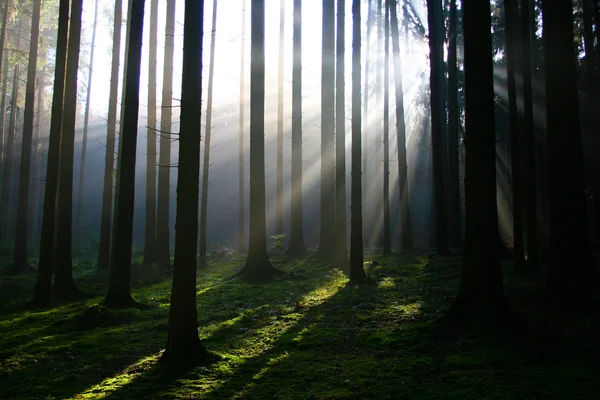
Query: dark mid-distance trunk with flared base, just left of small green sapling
[257,265]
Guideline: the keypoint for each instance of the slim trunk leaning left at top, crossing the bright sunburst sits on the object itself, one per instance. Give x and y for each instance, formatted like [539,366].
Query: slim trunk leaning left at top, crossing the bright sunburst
[406,239]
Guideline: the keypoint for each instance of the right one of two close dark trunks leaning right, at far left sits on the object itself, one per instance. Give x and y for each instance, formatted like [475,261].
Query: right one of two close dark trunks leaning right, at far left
[64,285]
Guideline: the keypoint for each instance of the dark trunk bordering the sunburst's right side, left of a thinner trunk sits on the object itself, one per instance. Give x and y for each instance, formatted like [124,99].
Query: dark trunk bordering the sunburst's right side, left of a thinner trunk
[438,121]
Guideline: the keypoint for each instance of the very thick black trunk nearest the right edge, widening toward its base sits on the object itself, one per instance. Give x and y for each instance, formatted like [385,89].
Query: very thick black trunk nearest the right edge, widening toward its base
[570,268]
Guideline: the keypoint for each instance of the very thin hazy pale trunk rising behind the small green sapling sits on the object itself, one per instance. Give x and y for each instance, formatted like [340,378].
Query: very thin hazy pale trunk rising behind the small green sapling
[279,214]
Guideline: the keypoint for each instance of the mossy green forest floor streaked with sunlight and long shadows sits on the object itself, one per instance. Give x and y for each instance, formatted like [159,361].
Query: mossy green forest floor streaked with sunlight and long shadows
[311,336]
